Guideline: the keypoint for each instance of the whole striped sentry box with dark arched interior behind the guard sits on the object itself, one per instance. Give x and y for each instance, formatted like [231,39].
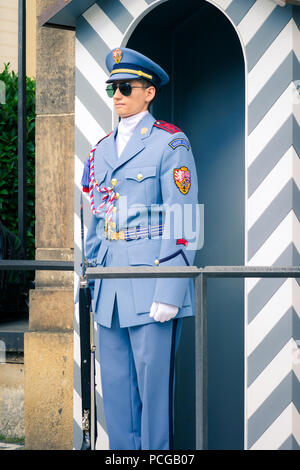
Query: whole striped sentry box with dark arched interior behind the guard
[234,90]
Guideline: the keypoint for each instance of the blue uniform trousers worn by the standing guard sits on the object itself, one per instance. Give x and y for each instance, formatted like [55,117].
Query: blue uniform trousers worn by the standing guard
[138,375]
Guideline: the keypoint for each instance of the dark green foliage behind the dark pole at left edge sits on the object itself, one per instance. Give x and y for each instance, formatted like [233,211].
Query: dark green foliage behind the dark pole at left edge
[9,156]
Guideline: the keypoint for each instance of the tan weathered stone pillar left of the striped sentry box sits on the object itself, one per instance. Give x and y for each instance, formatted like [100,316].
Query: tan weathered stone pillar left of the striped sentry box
[48,346]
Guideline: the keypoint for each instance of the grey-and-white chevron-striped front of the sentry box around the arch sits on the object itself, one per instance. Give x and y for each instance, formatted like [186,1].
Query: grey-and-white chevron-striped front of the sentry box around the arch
[270,40]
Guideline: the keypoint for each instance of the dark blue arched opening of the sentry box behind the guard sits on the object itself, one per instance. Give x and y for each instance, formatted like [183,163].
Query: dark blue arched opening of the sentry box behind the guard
[201,51]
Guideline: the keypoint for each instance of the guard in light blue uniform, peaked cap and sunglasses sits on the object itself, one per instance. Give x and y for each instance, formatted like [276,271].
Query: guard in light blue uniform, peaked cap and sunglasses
[142,185]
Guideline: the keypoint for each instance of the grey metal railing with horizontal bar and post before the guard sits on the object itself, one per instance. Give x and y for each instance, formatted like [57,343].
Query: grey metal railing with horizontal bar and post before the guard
[200,276]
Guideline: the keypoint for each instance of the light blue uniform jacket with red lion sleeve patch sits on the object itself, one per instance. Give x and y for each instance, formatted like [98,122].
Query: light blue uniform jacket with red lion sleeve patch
[149,179]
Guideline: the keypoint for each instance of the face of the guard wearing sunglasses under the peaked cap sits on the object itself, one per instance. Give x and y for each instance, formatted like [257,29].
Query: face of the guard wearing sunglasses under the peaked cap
[137,102]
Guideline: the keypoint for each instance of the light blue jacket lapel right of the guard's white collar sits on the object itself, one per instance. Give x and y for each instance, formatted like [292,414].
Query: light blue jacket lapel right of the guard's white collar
[136,143]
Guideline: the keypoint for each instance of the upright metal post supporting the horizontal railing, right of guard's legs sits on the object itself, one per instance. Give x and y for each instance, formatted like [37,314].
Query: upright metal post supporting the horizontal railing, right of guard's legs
[201,362]
